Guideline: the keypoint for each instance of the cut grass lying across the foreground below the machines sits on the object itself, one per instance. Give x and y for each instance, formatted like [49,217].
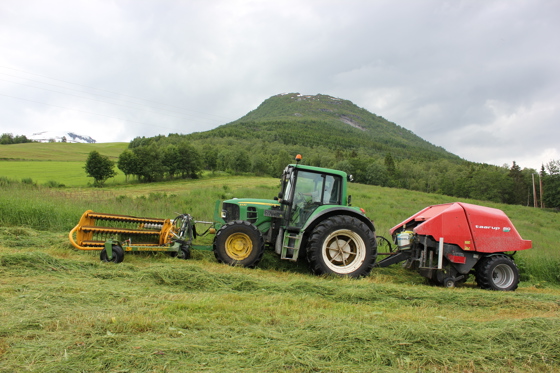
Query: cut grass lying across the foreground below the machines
[64,311]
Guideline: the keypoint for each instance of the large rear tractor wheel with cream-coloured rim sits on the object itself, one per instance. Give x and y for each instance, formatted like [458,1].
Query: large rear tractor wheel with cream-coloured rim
[325,254]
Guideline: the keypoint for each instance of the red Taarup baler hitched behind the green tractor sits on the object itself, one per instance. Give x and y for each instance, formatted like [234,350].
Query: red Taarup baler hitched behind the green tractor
[445,243]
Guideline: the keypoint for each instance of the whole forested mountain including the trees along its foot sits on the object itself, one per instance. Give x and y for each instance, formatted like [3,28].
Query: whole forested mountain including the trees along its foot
[335,133]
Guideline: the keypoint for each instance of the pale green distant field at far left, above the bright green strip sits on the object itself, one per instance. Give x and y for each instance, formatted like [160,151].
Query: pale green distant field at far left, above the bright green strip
[59,151]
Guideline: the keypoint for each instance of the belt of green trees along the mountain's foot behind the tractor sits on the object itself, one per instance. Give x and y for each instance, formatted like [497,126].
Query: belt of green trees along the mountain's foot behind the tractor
[177,156]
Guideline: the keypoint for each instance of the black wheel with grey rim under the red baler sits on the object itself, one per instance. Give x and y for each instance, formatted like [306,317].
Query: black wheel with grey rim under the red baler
[497,272]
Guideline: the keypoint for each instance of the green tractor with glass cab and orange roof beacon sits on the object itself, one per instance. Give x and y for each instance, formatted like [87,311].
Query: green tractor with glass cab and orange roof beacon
[311,217]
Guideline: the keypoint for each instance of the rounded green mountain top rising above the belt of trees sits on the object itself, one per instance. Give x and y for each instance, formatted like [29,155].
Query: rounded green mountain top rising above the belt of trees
[323,120]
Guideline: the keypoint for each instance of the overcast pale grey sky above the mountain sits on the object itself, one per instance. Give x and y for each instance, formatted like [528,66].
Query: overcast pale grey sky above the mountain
[480,78]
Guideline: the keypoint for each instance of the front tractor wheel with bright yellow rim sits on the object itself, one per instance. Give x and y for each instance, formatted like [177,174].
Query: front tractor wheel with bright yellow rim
[239,243]
